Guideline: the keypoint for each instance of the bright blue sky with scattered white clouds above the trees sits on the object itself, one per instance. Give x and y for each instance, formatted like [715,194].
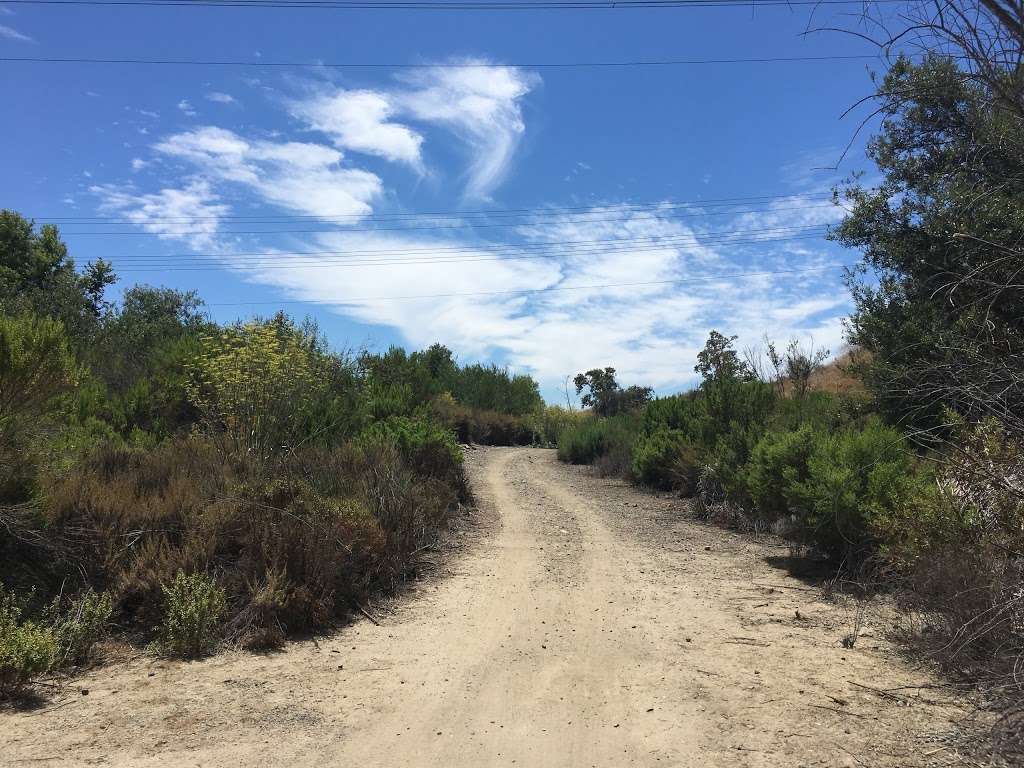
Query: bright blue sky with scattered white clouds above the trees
[617,176]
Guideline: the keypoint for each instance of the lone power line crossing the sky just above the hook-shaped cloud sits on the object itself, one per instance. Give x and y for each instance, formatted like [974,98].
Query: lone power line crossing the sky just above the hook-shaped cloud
[446,66]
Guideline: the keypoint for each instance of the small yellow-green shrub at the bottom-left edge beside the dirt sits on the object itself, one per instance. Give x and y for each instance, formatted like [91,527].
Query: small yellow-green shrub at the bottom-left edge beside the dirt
[27,650]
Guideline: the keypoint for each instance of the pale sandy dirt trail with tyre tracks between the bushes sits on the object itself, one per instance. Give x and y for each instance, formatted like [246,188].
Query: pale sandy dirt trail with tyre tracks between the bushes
[583,624]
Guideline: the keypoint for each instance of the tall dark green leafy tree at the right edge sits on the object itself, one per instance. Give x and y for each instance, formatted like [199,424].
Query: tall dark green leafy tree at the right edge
[938,296]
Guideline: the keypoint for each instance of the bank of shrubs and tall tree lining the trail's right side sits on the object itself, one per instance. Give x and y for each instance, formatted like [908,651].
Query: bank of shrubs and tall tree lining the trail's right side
[903,461]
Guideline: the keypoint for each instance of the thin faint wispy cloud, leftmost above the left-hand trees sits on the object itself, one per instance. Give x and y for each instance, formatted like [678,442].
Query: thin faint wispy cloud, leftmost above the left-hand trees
[192,214]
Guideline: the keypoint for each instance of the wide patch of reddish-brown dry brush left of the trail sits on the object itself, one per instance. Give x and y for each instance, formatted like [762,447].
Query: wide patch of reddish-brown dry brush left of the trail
[294,545]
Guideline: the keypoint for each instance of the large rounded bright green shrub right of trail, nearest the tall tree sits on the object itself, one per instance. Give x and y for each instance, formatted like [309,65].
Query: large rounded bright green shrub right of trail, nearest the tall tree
[856,480]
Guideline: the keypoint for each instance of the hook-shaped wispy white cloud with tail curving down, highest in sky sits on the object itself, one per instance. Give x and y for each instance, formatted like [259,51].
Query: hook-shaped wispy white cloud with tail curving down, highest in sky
[483,106]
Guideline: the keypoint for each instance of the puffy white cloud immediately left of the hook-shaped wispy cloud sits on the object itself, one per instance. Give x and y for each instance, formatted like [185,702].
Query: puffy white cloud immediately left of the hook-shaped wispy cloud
[360,120]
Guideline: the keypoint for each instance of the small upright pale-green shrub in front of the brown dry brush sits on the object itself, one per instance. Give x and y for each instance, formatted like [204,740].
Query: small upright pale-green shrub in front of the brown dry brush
[194,606]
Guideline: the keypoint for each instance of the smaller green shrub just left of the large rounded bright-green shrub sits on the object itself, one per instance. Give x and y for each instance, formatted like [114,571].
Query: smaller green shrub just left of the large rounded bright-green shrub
[779,461]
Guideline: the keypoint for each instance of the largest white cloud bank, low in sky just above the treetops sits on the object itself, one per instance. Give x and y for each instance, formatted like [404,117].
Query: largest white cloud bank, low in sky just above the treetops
[643,298]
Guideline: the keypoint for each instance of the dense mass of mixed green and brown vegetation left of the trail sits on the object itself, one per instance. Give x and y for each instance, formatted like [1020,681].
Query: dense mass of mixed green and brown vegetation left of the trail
[183,484]
